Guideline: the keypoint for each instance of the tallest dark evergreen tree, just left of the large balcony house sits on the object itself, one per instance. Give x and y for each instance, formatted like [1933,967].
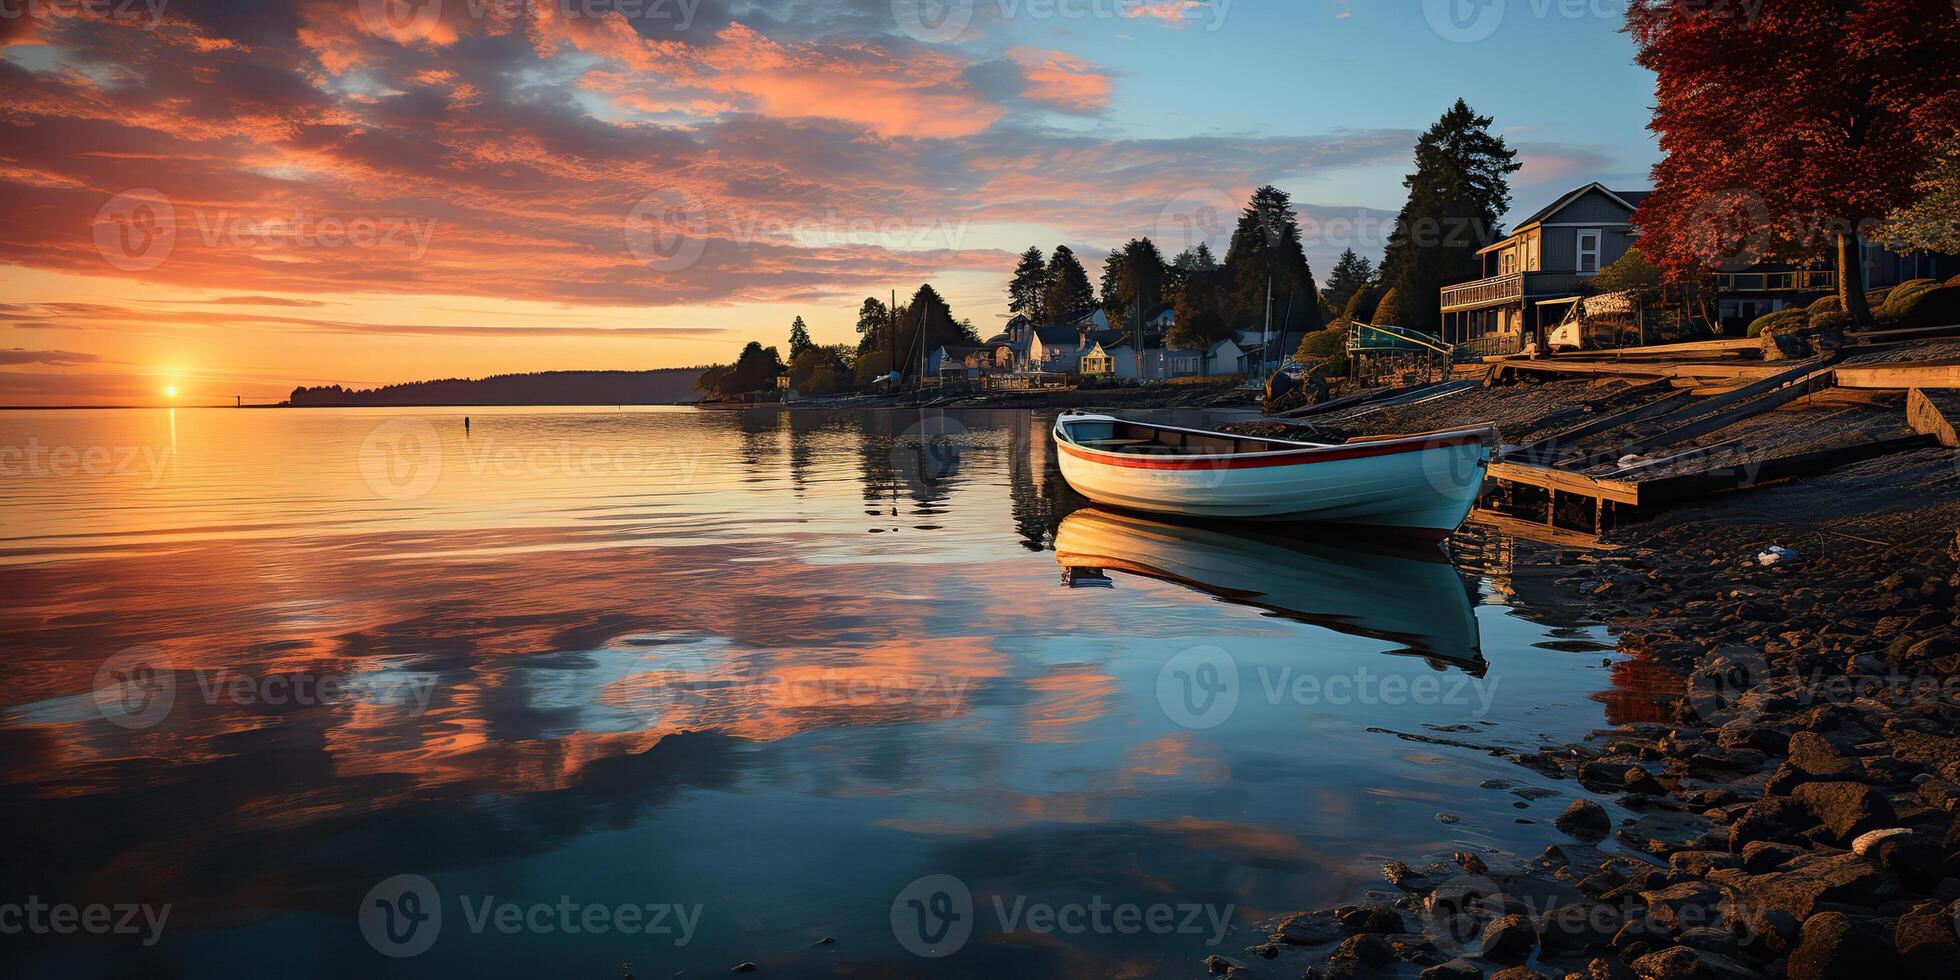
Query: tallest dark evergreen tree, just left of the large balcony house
[1459,191]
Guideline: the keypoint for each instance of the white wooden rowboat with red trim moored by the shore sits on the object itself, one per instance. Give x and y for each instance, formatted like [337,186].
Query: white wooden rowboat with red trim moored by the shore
[1422,483]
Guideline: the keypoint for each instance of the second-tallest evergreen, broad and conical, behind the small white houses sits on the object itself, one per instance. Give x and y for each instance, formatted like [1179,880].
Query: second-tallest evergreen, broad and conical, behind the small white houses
[1267,250]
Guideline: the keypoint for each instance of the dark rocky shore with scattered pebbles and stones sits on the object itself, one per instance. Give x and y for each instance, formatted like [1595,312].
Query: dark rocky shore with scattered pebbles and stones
[1796,810]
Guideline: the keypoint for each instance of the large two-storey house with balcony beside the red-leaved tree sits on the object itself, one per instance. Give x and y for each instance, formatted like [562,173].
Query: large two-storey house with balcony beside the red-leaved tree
[1536,273]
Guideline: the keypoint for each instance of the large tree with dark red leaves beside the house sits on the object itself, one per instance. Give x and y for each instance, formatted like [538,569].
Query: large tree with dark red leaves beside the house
[1790,126]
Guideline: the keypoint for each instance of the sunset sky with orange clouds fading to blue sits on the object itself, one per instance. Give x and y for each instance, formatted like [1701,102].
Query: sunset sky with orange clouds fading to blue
[244,197]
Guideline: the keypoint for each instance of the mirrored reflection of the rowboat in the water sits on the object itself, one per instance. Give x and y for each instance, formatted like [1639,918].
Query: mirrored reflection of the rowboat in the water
[1387,589]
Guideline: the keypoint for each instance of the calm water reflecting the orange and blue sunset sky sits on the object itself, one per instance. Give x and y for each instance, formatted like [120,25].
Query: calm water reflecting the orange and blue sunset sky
[581,693]
